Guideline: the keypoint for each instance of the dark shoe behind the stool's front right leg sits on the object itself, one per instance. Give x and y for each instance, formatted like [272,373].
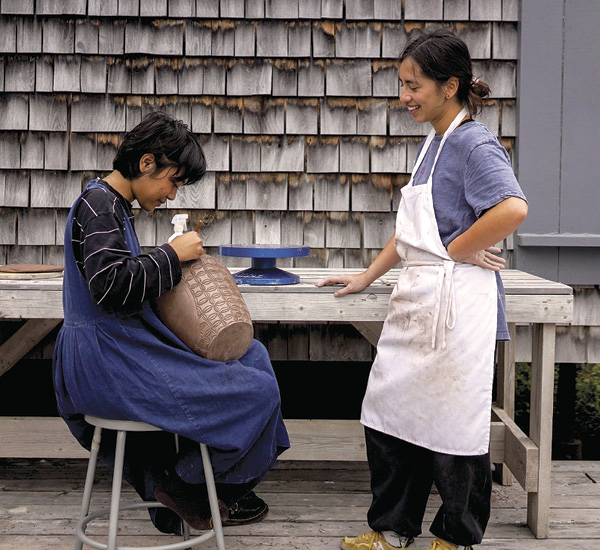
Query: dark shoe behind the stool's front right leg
[188,501]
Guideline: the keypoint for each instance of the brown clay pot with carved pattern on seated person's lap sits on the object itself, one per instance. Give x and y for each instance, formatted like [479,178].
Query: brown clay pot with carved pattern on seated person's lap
[207,312]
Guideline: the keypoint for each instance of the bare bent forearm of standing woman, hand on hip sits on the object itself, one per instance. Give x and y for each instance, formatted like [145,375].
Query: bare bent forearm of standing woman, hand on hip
[494,226]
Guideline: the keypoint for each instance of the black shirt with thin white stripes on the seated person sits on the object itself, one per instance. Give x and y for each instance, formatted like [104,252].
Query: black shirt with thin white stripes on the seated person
[117,280]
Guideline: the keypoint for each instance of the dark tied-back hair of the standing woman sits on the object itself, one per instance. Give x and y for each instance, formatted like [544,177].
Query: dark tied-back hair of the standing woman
[441,55]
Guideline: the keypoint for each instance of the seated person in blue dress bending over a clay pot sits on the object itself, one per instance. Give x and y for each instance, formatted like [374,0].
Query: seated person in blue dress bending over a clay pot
[115,359]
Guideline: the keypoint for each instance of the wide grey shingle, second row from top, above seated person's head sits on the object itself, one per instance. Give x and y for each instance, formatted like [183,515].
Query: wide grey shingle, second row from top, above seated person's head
[164,38]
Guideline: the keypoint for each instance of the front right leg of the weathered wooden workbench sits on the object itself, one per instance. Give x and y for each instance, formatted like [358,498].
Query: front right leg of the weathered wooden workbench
[540,424]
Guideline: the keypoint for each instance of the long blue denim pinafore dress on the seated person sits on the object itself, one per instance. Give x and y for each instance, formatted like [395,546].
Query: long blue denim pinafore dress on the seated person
[130,366]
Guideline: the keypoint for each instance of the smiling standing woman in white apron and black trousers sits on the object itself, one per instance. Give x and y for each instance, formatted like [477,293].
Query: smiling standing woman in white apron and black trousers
[427,405]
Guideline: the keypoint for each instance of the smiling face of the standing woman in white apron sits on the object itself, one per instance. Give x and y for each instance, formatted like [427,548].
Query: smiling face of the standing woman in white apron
[426,99]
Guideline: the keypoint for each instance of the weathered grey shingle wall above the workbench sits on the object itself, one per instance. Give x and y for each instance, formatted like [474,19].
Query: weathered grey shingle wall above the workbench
[294,101]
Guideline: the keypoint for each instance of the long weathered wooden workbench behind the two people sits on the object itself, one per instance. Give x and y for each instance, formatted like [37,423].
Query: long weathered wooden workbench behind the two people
[529,300]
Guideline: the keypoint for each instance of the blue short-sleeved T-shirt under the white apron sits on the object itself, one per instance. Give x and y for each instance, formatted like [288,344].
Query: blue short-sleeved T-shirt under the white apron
[472,174]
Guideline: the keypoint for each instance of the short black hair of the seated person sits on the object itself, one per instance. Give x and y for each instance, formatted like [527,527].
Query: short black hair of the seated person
[171,143]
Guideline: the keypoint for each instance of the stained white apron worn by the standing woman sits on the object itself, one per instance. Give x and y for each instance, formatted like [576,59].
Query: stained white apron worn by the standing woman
[431,382]
